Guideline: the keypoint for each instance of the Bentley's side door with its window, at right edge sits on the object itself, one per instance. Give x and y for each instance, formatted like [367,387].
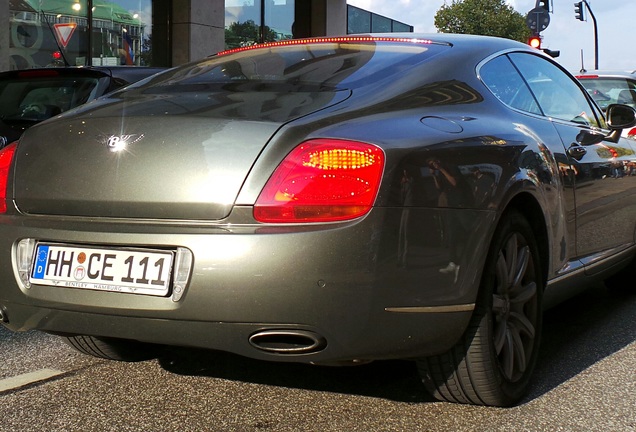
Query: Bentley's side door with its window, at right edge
[600,169]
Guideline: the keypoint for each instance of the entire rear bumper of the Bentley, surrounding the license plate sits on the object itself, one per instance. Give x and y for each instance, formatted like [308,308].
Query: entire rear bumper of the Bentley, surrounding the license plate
[322,293]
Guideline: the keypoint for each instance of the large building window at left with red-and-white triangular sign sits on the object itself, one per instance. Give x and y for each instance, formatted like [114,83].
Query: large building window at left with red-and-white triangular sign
[80,33]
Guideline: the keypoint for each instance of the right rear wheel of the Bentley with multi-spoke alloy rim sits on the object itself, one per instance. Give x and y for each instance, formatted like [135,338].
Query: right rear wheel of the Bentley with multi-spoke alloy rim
[493,362]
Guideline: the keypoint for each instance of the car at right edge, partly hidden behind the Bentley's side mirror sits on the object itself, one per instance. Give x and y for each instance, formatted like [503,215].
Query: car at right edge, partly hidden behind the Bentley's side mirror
[608,87]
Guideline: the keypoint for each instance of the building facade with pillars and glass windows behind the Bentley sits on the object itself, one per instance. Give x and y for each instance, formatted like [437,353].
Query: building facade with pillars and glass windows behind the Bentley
[164,32]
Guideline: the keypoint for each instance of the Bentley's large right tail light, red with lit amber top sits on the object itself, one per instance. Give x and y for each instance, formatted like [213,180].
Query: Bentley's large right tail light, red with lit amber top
[322,180]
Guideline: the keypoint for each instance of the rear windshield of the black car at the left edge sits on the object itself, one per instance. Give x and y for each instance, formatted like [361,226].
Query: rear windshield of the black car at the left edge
[42,98]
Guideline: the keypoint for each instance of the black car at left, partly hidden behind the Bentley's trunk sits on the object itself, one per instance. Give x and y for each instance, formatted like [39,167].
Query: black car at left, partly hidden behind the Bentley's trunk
[30,96]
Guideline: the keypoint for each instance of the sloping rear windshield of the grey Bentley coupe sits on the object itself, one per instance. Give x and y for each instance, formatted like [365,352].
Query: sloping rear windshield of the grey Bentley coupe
[323,65]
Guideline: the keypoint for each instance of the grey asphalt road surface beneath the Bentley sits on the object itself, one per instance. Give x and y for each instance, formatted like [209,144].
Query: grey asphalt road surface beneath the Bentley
[585,381]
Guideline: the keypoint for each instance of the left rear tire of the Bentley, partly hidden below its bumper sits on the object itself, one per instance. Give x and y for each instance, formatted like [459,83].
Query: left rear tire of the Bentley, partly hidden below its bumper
[112,348]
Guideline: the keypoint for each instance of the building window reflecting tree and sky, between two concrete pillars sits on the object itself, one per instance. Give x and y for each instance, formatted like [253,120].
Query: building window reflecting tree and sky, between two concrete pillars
[248,22]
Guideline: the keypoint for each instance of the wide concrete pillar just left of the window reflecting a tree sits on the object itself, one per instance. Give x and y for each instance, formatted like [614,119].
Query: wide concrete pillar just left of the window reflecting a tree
[198,29]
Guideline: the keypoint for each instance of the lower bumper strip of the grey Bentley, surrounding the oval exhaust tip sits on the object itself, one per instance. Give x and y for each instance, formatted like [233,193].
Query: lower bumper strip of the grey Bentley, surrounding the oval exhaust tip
[390,336]
